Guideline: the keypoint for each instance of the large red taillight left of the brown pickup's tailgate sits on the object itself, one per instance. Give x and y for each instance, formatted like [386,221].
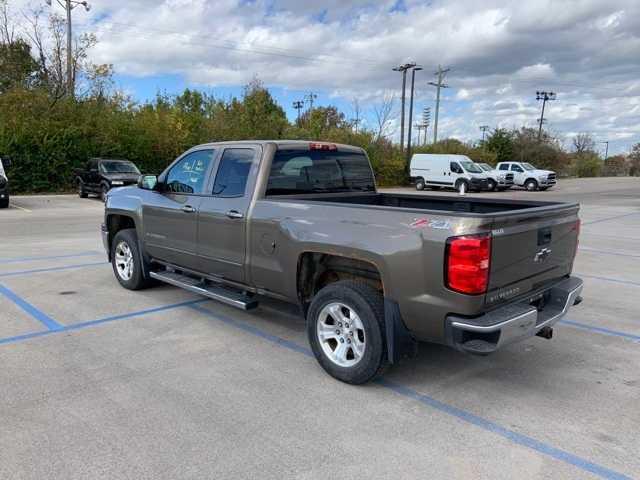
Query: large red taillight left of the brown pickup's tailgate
[467,263]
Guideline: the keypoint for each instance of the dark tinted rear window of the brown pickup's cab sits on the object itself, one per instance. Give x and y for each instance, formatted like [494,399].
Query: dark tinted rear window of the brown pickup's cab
[324,171]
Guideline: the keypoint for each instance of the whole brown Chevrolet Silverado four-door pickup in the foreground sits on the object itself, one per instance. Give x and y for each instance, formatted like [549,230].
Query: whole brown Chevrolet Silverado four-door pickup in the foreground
[373,273]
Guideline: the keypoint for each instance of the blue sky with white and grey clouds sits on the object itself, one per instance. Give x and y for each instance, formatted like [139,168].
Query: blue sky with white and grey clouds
[499,53]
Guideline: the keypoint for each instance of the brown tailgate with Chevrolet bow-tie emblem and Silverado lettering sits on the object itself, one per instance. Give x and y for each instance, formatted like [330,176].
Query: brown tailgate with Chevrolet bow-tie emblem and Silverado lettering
[531,249]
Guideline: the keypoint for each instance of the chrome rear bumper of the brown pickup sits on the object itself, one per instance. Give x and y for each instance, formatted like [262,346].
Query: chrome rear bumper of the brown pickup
[515,321]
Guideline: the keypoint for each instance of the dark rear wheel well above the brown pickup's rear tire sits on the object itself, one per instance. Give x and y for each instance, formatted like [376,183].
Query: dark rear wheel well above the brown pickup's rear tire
[317,270]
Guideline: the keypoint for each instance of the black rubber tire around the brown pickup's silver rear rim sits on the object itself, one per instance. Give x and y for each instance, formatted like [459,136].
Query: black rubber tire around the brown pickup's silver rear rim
[368,304]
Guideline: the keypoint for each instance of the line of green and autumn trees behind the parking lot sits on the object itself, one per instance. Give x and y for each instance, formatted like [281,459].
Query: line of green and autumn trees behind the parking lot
[49,133]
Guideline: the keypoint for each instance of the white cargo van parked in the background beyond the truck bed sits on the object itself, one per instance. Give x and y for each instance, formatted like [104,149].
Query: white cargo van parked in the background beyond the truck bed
[446,171]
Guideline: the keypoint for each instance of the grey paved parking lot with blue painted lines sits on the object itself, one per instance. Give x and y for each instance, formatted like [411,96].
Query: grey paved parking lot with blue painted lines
[101,382]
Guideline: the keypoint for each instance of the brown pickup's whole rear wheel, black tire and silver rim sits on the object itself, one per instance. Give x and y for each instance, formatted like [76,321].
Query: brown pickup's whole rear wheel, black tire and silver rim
[345,327]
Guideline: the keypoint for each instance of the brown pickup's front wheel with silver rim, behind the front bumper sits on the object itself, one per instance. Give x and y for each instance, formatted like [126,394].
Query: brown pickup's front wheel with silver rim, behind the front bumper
[127,261]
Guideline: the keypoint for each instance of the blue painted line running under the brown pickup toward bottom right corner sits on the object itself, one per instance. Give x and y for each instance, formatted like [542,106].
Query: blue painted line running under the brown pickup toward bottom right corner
[511,435]
